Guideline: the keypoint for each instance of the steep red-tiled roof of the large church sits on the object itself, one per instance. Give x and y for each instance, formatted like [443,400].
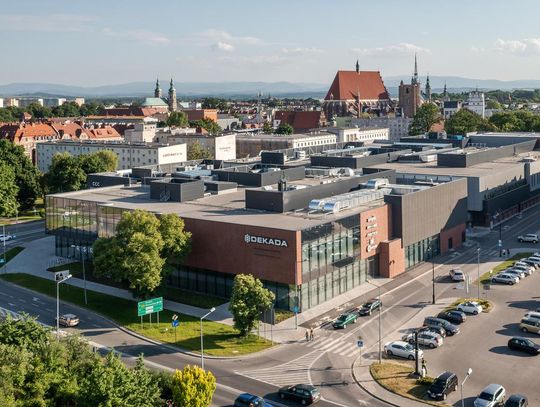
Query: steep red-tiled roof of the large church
[347,84]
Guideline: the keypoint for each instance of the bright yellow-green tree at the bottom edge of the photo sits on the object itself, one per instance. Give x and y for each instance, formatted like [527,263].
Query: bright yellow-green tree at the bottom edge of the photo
[193,387]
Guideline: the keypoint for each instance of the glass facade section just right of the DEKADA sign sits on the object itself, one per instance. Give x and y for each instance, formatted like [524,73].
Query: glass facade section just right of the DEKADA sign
[331,263]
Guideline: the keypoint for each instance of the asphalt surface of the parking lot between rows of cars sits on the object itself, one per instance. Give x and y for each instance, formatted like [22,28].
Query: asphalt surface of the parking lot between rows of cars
[482,343]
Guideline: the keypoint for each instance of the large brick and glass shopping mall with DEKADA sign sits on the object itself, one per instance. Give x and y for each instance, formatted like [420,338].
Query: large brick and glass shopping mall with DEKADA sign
[309,233]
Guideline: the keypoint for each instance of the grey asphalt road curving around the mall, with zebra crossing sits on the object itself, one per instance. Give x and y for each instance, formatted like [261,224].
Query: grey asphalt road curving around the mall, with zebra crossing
[326,361]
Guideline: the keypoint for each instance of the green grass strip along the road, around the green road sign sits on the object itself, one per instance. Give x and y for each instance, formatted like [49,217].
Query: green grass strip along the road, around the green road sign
[219,339]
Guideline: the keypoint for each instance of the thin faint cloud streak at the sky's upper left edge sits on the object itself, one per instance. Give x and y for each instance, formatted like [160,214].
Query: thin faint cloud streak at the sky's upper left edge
[45,23]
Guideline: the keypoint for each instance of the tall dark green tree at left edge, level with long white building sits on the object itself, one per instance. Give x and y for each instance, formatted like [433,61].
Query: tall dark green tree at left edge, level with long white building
[26,174]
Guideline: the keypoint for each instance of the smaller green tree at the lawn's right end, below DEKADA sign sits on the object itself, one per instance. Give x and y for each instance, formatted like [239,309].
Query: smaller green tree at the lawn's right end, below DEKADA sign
[249,298]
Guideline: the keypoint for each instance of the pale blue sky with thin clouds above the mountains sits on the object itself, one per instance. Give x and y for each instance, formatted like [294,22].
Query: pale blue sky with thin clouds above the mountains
[97,42]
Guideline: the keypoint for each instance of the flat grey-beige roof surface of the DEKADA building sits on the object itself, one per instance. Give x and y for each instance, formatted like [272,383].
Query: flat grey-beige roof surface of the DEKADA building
[226,208]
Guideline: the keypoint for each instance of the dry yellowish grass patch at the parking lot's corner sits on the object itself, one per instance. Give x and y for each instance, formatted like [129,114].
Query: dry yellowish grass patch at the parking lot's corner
[395,377]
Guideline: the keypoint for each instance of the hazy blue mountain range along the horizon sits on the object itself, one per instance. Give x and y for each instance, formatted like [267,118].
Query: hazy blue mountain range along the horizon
[247,89]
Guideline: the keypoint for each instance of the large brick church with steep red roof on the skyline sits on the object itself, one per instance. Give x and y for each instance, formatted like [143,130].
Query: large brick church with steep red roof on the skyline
[355,92]
